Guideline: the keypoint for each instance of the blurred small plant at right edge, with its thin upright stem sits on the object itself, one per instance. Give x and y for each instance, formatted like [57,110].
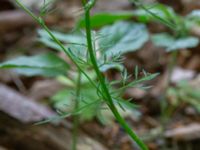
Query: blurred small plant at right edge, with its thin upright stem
[179,39]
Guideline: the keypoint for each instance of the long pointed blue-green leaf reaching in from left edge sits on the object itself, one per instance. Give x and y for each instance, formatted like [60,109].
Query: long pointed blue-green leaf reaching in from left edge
[44,64]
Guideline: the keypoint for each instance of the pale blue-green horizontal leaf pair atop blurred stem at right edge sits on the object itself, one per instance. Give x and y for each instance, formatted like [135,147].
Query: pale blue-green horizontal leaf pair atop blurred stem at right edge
[171,44]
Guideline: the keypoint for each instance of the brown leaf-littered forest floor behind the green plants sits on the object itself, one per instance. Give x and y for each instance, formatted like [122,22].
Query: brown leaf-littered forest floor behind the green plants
[24,100]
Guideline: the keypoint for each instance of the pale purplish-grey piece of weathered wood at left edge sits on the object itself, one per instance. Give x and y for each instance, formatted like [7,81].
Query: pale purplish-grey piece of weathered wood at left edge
[22,108]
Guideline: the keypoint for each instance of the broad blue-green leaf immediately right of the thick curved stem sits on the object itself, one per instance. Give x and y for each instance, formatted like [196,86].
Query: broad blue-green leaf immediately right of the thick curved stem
[122,37]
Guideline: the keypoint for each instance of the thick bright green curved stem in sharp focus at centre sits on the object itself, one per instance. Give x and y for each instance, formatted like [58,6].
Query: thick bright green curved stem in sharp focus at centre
[104,87]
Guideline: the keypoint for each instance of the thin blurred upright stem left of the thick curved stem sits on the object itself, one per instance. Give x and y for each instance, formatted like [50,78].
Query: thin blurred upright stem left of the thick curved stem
[75,117]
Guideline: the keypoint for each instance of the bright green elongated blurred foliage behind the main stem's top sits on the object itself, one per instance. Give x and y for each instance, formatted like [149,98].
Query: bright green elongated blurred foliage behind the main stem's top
[146,13]
